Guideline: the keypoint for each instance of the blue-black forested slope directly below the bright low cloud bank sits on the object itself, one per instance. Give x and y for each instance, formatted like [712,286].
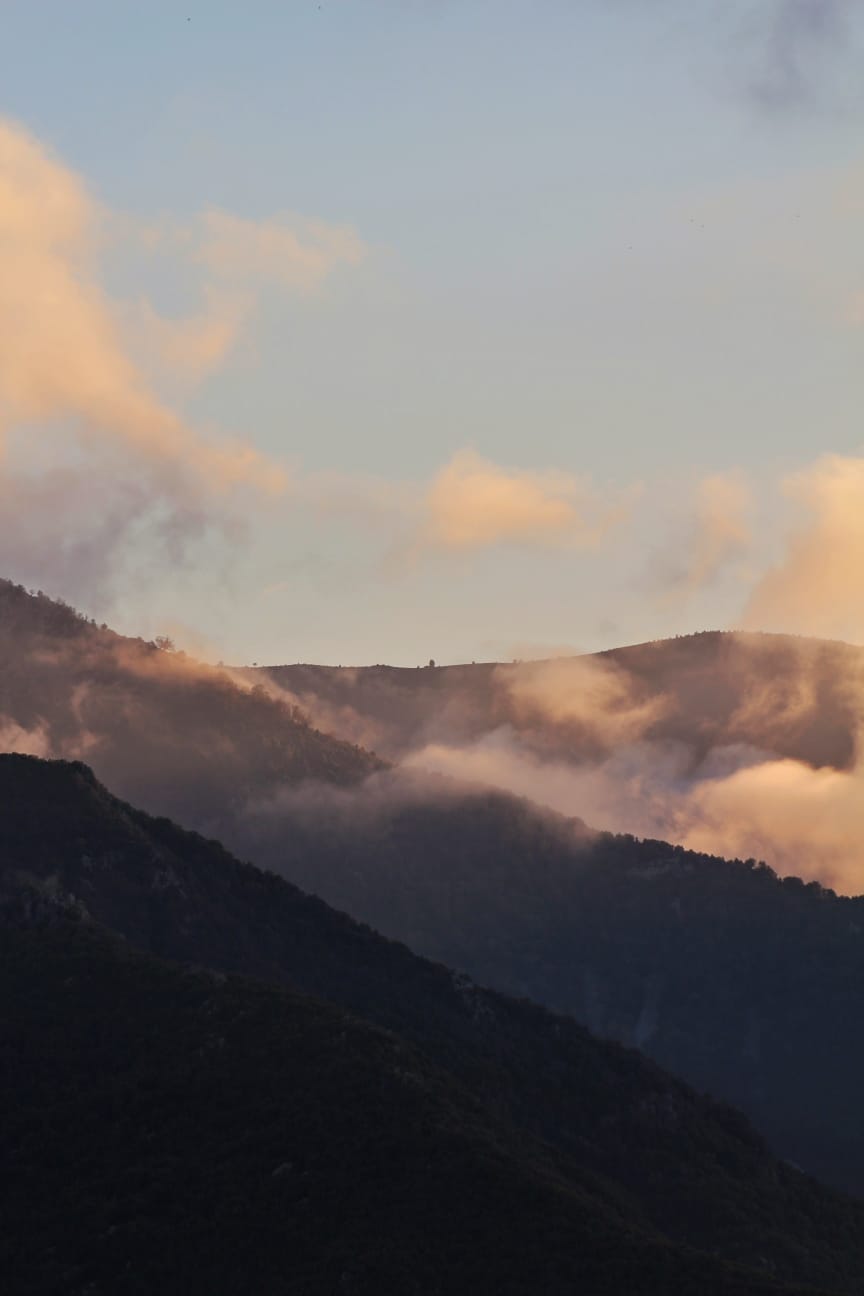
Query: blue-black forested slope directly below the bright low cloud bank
[748,987]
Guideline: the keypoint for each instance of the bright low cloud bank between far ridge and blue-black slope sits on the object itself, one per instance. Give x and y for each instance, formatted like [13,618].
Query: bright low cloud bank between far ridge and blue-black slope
[743,804]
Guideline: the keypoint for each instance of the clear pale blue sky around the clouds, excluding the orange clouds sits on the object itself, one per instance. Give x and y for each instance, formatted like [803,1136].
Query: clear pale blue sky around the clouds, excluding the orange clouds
[613,242]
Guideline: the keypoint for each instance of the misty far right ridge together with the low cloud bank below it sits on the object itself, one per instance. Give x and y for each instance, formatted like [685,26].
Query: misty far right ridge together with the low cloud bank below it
[742,745]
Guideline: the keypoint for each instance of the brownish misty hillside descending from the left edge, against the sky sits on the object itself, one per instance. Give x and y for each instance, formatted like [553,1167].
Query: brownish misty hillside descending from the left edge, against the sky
[177,735]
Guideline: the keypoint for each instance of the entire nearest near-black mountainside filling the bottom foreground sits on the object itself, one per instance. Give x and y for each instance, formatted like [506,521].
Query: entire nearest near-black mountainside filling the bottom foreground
[489,1126]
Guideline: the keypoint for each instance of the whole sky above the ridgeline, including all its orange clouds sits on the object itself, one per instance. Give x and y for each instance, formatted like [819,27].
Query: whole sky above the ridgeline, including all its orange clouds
[370,331]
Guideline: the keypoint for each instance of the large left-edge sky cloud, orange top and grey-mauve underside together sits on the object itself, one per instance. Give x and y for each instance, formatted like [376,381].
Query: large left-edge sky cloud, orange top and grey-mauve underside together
[97,467]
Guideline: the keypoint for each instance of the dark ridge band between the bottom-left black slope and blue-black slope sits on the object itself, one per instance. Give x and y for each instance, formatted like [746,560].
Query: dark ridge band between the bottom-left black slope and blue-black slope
[615,1126]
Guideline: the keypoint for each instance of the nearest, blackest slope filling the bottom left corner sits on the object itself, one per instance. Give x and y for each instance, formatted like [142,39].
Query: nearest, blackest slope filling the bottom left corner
[185,1133]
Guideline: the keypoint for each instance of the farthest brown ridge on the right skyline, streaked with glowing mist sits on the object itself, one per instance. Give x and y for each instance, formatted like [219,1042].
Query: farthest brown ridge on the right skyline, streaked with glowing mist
[795,698]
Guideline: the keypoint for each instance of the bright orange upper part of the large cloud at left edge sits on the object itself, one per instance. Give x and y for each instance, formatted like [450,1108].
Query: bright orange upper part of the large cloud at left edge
[62,351]
